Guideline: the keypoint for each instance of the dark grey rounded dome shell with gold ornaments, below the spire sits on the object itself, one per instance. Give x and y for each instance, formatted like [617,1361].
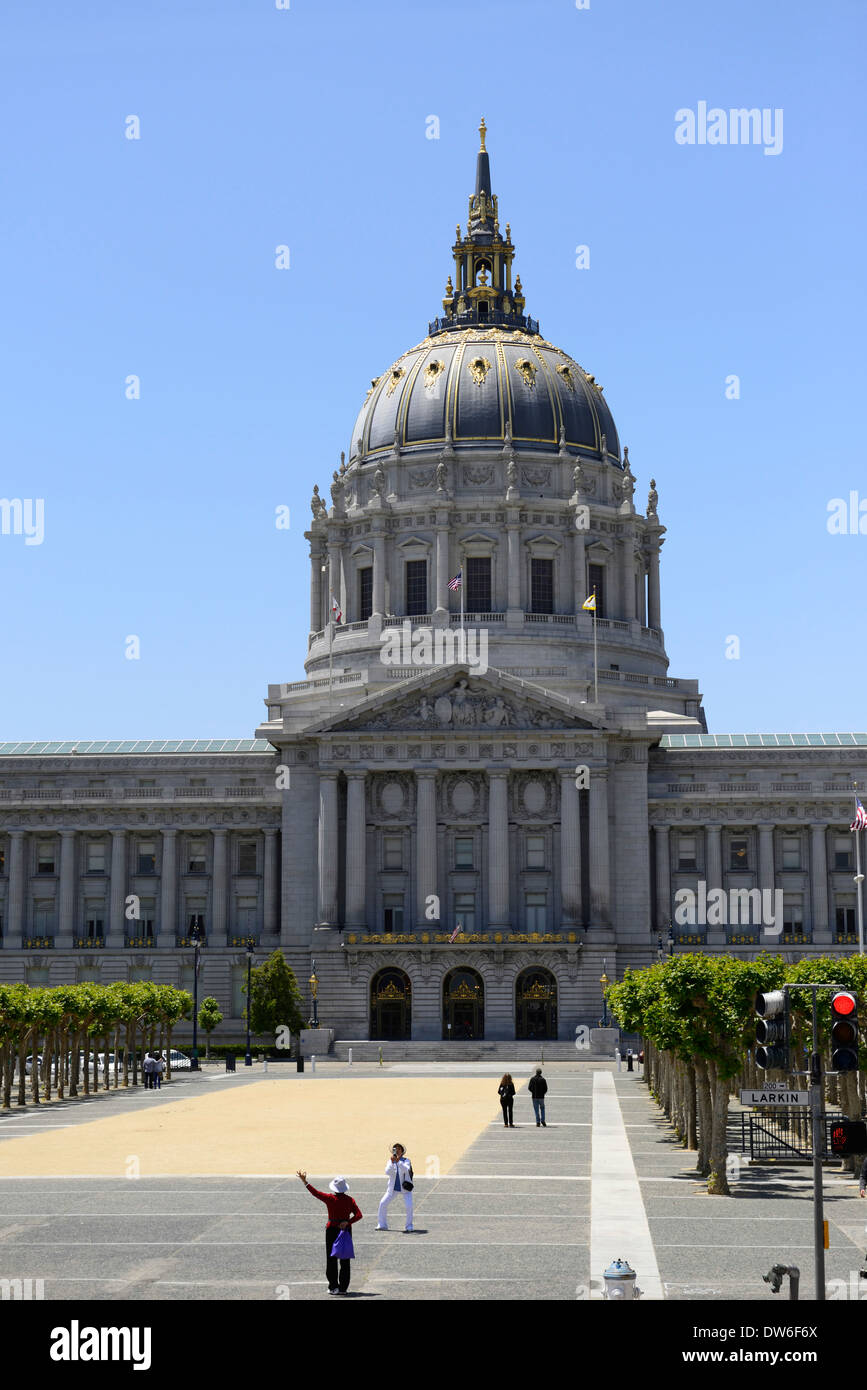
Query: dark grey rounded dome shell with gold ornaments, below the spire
[474,386]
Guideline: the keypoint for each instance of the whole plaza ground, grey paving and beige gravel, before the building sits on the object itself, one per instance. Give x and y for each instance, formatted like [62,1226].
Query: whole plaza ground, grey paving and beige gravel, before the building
[526,1214]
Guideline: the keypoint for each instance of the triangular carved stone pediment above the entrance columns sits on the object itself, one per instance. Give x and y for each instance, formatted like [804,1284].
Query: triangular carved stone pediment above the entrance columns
[455,700]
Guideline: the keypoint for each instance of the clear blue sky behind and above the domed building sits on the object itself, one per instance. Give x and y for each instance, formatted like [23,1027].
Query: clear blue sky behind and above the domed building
[308,127]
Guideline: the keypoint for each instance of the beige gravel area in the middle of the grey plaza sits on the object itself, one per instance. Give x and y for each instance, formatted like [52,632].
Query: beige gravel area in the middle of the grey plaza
[270,1127]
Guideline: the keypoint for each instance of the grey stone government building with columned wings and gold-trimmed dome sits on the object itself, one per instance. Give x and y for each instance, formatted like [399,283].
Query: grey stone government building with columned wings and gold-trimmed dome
[484,797]
